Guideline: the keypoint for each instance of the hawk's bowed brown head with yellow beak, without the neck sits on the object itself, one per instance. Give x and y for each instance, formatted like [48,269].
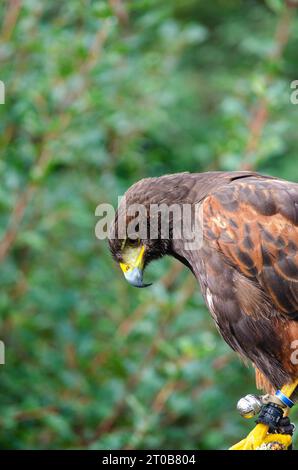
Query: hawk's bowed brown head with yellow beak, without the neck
[135,237]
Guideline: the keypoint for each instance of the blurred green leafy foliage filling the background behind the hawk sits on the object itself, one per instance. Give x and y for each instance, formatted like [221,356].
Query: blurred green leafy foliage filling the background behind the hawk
[98,95]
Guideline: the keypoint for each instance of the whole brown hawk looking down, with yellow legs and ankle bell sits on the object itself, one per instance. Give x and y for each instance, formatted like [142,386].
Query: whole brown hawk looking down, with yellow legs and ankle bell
[246,265]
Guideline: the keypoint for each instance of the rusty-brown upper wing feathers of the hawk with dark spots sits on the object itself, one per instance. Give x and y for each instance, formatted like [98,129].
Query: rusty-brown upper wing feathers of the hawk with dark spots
[254,223]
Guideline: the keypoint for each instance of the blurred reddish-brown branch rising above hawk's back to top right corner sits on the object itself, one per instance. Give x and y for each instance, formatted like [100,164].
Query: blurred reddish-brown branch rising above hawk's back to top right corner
[260,113]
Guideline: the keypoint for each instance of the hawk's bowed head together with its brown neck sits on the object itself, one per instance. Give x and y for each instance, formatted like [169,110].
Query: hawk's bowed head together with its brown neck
[136,241]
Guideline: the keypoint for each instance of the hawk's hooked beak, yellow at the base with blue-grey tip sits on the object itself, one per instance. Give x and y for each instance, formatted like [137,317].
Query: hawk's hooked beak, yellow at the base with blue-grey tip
[133,266]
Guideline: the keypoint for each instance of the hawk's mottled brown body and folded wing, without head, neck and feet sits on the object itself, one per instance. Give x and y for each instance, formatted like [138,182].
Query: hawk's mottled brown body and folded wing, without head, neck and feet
[252,227]
